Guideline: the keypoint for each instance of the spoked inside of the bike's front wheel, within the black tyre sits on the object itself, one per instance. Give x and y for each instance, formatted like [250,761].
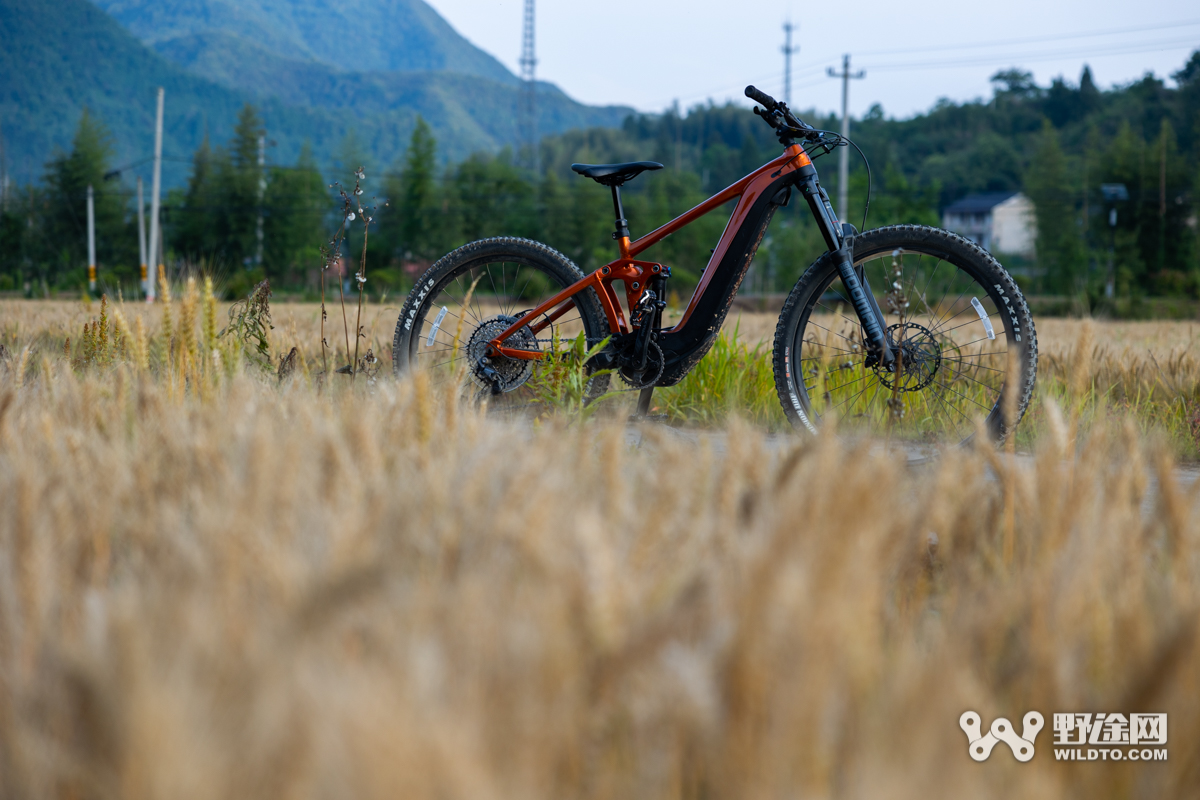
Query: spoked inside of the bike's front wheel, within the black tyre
[938,384]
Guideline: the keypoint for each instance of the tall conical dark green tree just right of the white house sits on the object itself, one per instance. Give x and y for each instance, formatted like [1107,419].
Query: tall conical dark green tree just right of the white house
[1060,244]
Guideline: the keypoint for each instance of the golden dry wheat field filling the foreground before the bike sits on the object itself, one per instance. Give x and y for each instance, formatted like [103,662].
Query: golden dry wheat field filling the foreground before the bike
[219,584]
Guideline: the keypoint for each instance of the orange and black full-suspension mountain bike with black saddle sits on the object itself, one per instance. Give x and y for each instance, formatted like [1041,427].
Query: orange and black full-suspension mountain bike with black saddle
[905,332]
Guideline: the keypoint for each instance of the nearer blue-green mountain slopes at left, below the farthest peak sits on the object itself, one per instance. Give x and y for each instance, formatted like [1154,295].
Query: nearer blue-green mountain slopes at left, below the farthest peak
[59,57]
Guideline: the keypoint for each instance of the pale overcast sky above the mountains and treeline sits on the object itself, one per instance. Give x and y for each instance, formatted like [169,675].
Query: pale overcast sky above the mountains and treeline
[649,53]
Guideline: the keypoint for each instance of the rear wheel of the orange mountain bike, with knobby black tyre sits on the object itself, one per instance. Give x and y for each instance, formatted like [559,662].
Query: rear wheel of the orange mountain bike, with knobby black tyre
[476,293]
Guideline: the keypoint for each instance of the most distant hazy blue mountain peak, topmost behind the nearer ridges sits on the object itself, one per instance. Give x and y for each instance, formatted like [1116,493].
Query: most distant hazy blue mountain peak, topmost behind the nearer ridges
[346,35]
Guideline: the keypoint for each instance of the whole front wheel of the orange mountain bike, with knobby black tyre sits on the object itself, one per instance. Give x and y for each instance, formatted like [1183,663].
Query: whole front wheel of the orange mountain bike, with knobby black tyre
[964,334]
